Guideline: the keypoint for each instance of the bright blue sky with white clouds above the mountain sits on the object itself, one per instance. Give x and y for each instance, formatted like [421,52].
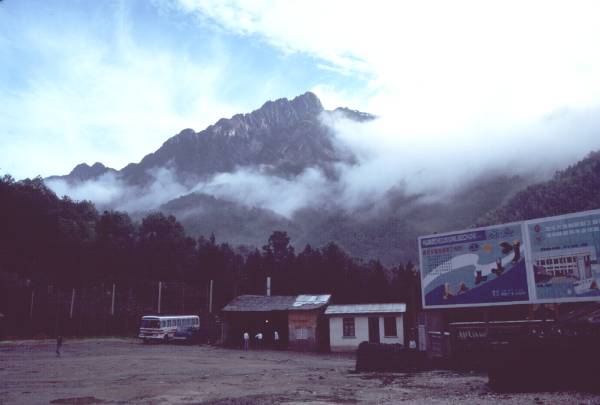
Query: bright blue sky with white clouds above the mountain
[465,83]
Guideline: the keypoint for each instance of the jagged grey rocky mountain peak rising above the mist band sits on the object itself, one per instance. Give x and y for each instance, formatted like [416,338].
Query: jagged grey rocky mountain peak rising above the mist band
[285,135]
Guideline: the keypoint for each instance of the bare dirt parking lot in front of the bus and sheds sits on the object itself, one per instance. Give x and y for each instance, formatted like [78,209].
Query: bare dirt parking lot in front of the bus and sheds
[125,371]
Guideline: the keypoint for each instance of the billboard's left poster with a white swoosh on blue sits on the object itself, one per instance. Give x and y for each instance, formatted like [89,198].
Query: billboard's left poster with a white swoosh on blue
[477,267]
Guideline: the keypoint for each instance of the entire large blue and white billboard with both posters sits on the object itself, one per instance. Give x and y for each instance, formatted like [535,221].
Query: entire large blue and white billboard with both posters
[537,261]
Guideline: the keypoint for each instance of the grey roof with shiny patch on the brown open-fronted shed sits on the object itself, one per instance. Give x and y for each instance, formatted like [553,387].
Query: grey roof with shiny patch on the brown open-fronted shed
[264,303]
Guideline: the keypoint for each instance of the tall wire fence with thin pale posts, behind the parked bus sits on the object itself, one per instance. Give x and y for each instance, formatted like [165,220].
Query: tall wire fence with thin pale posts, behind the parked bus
[102,309]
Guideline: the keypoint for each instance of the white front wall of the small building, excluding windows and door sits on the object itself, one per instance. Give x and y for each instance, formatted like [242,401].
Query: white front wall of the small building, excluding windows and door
[339,343]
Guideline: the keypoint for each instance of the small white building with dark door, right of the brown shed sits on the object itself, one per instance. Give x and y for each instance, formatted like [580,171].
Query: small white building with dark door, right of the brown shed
[350,325]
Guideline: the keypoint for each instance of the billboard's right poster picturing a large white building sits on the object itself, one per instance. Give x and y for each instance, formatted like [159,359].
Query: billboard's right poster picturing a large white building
[564,257]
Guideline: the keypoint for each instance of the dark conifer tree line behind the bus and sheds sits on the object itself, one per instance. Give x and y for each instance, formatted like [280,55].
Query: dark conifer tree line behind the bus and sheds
[68,243]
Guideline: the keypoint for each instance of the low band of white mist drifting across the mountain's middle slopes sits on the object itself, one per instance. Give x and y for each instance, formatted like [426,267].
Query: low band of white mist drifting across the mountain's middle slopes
[249,186]
